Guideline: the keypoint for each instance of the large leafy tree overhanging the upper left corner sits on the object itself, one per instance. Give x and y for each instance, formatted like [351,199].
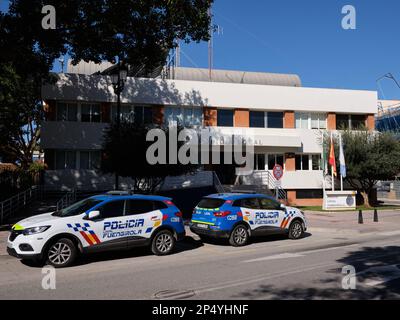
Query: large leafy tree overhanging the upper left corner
[138,33]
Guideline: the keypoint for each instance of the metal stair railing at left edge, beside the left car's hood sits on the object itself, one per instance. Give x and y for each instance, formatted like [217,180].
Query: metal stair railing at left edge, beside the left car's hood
[19,201]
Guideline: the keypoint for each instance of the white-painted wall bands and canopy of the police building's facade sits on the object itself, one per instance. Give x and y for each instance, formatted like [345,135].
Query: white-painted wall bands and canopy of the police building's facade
[157,92]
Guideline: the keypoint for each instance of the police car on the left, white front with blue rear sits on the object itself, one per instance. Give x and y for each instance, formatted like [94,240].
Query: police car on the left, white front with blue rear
[99,223]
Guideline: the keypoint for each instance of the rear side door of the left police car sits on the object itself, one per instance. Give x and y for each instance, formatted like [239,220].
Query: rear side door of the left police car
[144,217]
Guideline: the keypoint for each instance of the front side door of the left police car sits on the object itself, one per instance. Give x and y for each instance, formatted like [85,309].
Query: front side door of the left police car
[109,230]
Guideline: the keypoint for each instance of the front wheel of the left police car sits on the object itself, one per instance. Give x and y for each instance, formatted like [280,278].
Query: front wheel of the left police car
[61,253]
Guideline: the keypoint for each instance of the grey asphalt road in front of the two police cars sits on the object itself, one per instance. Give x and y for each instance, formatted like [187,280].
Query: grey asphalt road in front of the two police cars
[269,268]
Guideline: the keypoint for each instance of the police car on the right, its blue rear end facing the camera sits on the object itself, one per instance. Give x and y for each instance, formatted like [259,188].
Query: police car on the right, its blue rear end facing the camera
[237,216]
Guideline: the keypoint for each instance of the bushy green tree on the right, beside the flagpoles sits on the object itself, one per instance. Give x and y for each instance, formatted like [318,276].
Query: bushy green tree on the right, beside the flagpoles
[370,157]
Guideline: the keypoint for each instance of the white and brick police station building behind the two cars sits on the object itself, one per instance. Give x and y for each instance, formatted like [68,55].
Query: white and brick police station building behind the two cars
[285,119]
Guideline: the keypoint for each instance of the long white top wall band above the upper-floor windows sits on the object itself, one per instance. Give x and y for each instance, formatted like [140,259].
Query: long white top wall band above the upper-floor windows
[223,95]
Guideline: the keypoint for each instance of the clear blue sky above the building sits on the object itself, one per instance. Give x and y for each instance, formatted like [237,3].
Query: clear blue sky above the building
[306,38]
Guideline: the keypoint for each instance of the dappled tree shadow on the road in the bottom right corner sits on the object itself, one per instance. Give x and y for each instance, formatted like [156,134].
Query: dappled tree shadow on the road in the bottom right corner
[378,277]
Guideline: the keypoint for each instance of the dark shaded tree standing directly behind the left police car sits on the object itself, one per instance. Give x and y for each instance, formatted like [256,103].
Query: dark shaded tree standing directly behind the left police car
[125,154]
